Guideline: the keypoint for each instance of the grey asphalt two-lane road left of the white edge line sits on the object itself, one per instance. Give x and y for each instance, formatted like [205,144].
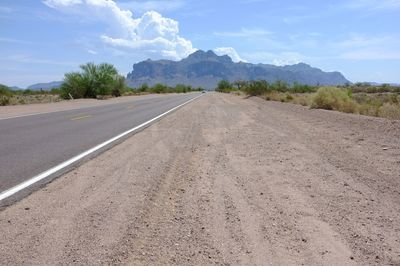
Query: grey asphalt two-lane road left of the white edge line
[33,144]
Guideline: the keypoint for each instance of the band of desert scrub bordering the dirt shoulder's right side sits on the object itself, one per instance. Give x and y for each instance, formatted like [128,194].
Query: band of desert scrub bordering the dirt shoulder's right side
[359,98]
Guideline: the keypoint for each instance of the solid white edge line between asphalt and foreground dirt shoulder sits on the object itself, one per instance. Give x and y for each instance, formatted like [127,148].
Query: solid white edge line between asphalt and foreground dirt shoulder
[43,175]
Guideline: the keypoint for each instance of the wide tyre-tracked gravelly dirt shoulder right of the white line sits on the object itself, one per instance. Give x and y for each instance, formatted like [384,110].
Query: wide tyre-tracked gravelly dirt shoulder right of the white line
[224,180]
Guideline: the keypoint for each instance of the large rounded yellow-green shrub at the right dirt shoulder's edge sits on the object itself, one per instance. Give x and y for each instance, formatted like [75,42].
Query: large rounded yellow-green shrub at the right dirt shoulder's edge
[332,98]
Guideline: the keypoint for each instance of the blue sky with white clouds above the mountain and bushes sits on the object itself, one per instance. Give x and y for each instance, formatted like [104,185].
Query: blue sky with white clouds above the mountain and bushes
[41,40]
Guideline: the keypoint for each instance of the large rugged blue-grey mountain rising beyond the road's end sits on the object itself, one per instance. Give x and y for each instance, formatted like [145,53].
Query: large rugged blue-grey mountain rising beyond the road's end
[206,69]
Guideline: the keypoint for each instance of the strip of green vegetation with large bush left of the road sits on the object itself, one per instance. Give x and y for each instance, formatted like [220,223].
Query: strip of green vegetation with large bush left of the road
[100,81]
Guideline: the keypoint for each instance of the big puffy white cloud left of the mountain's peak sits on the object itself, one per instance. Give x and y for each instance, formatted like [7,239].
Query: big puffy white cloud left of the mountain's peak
[150,34]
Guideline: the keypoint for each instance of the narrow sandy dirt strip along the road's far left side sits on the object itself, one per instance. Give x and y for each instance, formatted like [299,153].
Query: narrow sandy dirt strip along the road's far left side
[27,109]
